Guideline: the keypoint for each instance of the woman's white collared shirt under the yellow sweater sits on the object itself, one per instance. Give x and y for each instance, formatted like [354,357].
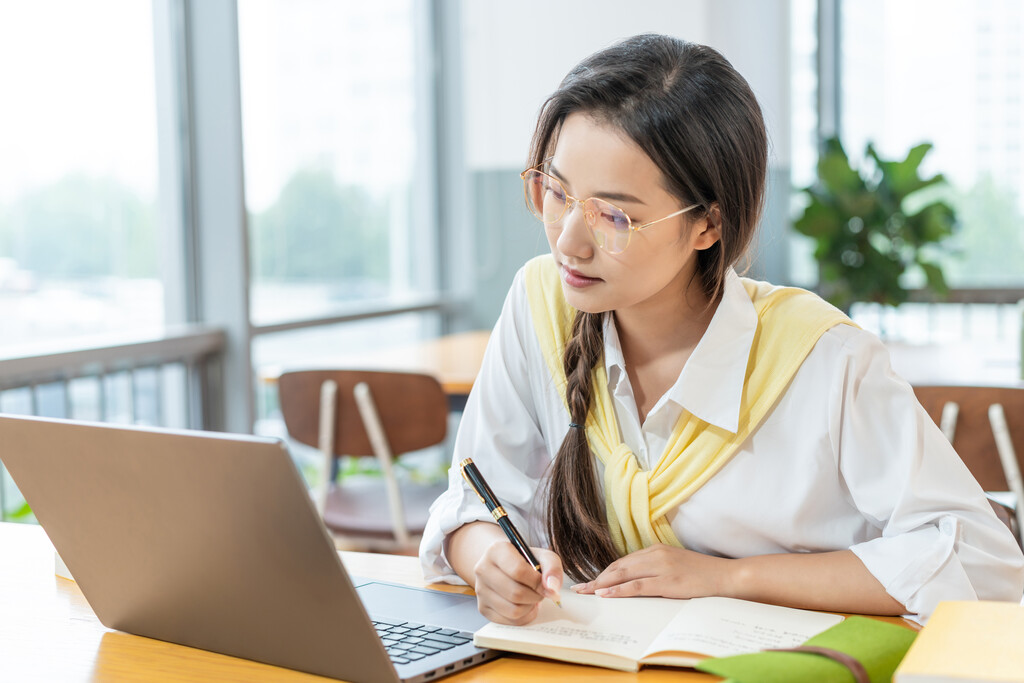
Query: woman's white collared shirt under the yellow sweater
[846,459]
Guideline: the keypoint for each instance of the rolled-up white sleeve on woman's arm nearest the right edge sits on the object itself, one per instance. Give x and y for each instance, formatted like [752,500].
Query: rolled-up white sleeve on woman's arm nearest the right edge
[940,538]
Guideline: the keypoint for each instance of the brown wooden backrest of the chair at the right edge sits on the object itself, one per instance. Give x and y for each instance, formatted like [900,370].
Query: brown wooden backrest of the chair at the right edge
[974,440]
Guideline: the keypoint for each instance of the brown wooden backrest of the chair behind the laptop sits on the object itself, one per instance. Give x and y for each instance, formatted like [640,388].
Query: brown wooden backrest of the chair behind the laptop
[413,409]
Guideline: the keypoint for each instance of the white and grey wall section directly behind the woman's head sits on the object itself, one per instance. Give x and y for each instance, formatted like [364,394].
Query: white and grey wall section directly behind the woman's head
[514,56]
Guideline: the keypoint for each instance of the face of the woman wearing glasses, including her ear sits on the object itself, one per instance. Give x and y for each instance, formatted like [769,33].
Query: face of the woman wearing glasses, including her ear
[594,159]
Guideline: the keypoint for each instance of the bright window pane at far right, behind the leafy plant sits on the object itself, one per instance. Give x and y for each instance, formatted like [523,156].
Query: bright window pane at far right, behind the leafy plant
[947,72]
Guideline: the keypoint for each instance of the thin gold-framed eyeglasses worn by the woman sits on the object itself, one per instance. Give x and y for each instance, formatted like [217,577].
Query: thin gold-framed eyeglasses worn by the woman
[548,201]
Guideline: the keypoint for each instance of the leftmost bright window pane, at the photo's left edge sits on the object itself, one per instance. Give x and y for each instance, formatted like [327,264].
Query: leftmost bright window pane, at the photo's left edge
[78,169]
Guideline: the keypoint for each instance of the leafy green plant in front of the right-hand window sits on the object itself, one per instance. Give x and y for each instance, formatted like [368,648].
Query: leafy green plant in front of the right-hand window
[871,226]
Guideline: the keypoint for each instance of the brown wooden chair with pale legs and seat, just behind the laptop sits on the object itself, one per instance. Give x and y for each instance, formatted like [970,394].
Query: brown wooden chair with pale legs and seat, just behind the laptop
[368,414]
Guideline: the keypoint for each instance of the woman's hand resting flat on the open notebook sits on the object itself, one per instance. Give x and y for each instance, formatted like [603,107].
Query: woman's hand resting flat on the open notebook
[662,571]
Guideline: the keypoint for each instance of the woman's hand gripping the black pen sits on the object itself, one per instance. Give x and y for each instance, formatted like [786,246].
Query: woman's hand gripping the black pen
[508,589]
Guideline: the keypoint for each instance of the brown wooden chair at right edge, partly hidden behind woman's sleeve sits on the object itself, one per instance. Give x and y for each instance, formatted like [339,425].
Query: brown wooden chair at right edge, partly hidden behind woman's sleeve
[987,428]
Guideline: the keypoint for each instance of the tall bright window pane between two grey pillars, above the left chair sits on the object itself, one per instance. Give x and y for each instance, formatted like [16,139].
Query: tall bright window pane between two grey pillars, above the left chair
[330,112]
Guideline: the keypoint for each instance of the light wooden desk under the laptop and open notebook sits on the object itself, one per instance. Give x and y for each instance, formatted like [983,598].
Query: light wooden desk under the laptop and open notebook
[50,633]
